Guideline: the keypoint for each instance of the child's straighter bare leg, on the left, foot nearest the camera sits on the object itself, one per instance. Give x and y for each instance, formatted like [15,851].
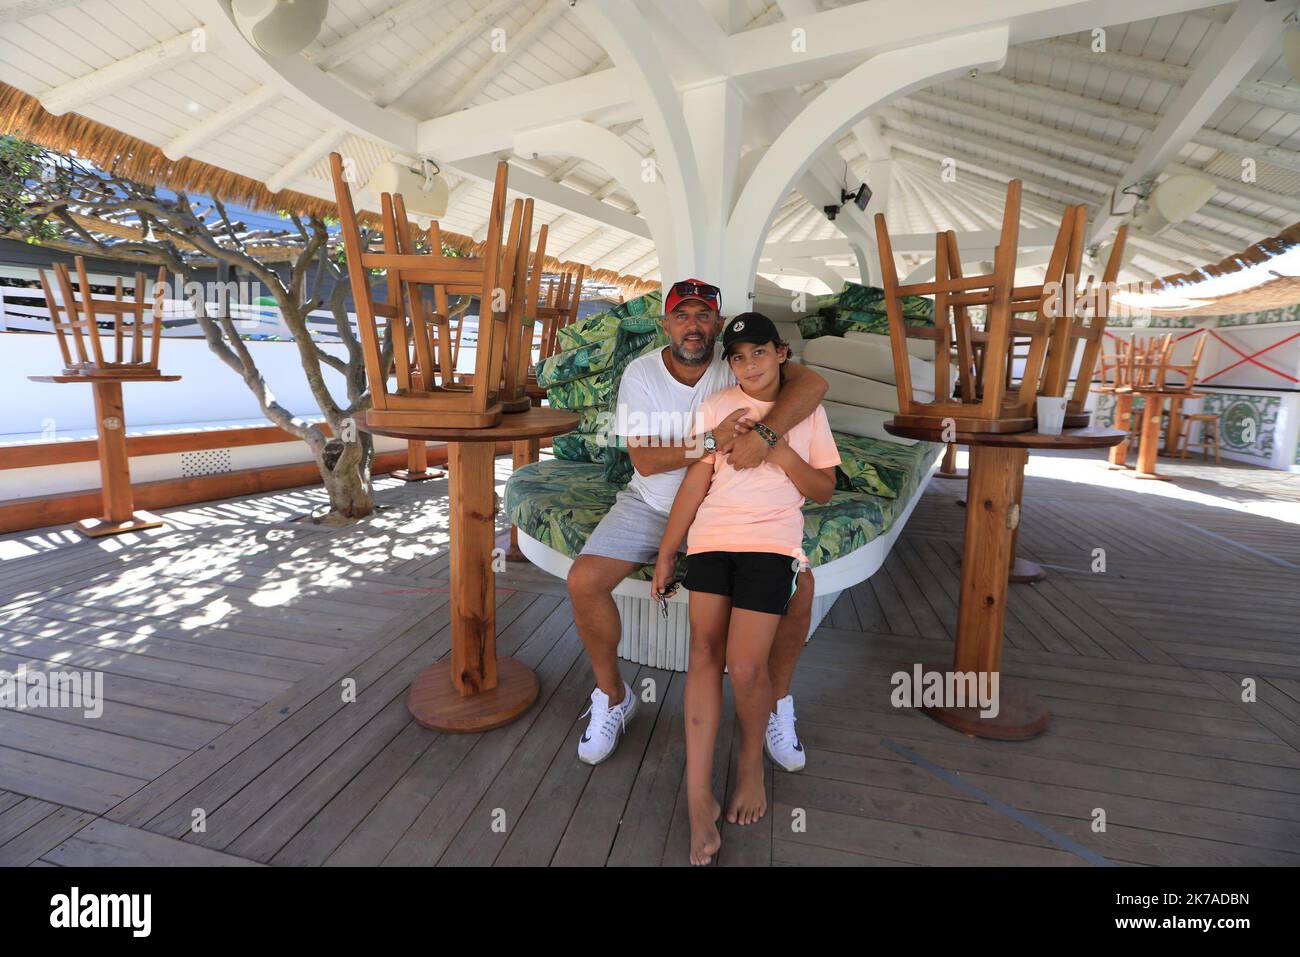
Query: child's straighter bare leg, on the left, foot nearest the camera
[704,708]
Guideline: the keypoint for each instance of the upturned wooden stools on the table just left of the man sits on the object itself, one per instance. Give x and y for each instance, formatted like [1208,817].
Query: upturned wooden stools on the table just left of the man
[424,349]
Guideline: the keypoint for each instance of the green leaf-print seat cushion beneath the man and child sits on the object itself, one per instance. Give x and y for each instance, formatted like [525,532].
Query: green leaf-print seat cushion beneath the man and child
[560,504]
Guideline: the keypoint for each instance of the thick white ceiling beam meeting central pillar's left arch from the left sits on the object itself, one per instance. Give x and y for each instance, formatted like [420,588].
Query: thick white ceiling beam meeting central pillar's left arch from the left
[491,128]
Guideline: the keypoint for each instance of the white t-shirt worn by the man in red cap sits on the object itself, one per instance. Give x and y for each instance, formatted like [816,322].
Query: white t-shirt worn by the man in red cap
[655,404]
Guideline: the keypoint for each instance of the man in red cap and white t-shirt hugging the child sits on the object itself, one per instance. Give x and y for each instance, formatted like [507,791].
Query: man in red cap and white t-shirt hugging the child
[660,396]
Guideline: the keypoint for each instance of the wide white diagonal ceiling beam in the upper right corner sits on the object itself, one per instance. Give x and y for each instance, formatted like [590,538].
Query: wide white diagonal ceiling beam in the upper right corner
[1234,53]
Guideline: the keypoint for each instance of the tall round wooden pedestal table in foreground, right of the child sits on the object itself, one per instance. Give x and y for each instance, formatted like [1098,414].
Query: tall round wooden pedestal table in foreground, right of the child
[993,517]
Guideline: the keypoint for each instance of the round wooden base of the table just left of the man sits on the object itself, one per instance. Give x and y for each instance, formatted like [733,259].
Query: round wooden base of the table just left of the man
[436,704]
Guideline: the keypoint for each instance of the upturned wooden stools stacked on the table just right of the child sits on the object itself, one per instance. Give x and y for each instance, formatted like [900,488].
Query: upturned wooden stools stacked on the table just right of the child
[987,399]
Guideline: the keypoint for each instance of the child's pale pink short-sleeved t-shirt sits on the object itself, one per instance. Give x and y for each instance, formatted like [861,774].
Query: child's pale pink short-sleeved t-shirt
[756,509]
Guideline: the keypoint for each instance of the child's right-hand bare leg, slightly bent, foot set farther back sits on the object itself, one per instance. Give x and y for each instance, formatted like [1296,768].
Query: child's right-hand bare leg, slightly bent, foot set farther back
[749,644]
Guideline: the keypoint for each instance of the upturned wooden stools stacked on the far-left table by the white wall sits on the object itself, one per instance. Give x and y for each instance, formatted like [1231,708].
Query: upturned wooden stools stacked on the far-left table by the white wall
[137,324]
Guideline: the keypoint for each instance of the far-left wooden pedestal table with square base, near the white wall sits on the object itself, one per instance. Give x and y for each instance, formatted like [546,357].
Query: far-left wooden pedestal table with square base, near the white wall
[115,467]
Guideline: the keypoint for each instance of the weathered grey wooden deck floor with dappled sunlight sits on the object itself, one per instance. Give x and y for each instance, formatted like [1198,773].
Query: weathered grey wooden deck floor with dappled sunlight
[227,640]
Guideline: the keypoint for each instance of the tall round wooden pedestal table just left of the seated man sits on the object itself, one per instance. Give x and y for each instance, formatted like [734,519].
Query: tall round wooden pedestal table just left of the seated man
[474,690]
